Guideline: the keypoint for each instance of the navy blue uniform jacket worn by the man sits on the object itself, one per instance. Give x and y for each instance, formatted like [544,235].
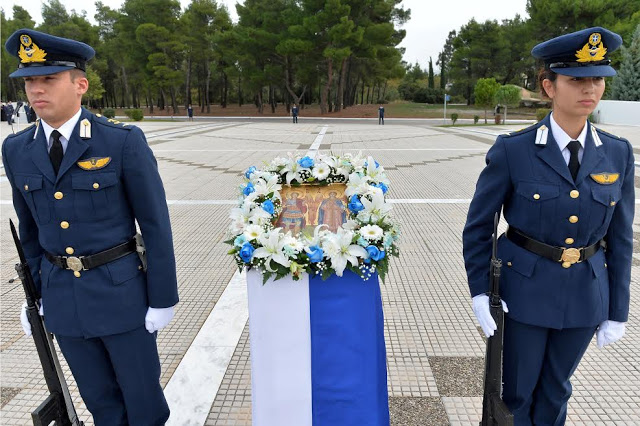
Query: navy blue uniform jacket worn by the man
[82,212]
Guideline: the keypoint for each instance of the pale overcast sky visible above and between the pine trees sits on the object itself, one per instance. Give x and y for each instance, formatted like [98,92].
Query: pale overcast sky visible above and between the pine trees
[427,29]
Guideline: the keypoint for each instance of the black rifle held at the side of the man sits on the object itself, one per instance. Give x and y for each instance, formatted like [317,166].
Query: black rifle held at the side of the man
[58,406]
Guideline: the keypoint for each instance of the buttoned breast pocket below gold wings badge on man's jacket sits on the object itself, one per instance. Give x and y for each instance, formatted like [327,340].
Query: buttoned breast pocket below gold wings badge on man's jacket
[94,193]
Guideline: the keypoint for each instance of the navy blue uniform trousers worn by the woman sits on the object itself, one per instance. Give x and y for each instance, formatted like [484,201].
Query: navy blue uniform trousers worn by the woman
[538,363]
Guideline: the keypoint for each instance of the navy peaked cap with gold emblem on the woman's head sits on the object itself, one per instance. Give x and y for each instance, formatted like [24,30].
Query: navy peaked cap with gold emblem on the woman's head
[580,54]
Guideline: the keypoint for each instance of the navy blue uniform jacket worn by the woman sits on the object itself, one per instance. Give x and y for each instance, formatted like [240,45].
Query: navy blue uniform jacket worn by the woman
[528,178]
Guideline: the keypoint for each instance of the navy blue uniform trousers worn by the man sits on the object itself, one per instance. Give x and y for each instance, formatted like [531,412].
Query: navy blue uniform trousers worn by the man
[118,377]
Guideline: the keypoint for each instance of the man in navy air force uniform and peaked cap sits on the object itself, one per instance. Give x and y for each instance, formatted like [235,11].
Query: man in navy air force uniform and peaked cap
[79,183]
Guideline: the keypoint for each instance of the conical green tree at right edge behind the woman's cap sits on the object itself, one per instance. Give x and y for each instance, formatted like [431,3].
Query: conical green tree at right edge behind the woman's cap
[626,85]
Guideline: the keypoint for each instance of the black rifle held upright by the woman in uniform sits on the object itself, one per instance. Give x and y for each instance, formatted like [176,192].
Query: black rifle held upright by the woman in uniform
[494,410]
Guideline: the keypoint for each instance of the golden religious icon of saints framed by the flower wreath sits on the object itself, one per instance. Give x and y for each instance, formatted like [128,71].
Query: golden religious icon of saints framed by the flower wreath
[307,206]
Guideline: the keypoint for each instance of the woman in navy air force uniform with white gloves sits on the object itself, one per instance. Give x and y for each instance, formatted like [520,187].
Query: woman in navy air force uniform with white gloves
[566,189]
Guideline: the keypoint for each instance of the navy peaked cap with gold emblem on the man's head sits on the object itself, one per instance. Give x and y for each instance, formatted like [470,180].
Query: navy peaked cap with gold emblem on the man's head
[44,54]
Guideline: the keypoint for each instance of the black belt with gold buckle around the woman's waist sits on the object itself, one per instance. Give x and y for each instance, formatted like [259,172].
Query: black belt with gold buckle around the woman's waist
[568,256]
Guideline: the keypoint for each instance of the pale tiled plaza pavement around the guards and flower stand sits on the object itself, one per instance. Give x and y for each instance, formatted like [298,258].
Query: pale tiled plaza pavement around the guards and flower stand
[434,348]
